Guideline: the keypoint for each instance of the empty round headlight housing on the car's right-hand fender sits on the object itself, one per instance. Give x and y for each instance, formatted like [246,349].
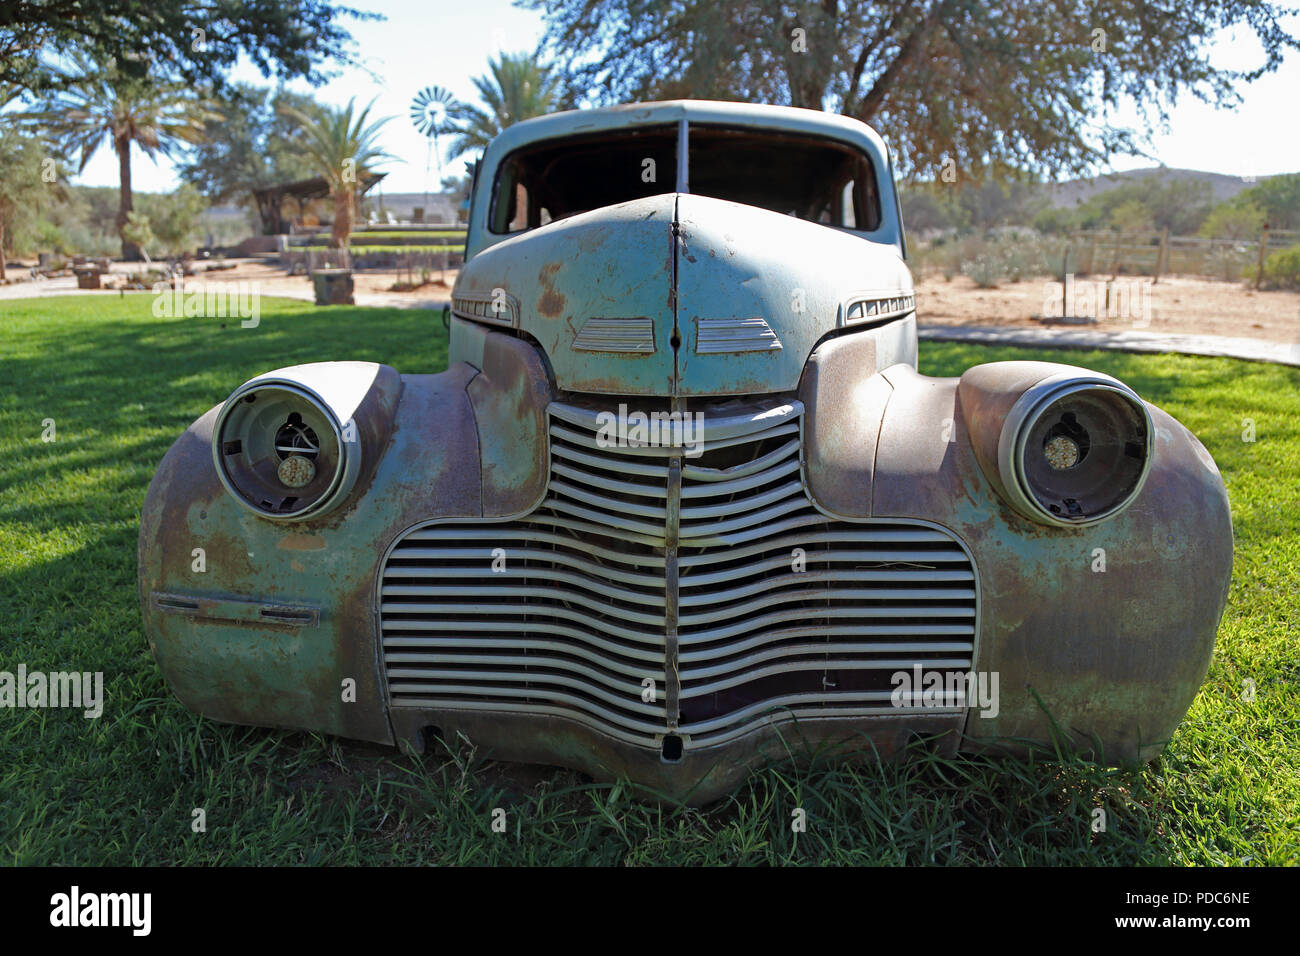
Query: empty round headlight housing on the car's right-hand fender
[1074,451]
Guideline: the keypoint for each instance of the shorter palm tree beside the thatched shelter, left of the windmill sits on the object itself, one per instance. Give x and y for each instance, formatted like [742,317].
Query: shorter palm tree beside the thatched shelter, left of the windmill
[343,149]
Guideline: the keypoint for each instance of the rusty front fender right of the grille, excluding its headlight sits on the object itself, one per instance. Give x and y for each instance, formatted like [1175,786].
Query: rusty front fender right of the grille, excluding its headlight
[1111,626]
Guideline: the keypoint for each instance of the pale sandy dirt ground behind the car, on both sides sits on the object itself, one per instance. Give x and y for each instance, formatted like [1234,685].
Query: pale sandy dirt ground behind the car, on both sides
[1175,304]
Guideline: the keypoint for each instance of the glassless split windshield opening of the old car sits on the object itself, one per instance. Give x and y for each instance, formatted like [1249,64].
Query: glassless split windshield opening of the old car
[808,178]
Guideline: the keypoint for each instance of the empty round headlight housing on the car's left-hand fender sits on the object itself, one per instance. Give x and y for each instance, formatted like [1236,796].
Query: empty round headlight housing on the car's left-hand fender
[283,453]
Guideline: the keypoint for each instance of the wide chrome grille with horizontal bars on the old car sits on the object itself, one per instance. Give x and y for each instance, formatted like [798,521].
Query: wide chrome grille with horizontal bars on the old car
[768,608]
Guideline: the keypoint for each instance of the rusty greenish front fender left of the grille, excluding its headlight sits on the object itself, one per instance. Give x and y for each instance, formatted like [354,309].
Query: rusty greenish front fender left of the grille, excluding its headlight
[272,624]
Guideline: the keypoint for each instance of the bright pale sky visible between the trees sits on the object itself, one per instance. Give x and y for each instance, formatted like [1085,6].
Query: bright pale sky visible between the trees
[448,42]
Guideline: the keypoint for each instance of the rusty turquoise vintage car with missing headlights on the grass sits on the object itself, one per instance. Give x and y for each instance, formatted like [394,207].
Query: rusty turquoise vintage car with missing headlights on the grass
[682,503]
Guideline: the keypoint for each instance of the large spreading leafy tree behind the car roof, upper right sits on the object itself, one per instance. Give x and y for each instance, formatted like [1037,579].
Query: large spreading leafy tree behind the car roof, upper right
[982,83]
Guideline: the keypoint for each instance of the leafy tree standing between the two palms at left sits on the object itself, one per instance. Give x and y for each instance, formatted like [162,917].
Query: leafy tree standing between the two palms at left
[254,144]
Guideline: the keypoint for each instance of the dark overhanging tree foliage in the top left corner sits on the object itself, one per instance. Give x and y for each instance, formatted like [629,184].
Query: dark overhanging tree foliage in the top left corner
[196,41]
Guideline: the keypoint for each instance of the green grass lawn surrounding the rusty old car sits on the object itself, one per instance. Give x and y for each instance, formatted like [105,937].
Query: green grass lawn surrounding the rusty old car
[122,386]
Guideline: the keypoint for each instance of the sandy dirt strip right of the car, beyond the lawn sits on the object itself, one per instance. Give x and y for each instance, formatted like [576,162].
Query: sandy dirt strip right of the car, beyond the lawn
[1175,304]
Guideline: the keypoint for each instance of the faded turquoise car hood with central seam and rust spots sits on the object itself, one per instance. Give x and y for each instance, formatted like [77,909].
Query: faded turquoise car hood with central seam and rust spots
[682,295]
